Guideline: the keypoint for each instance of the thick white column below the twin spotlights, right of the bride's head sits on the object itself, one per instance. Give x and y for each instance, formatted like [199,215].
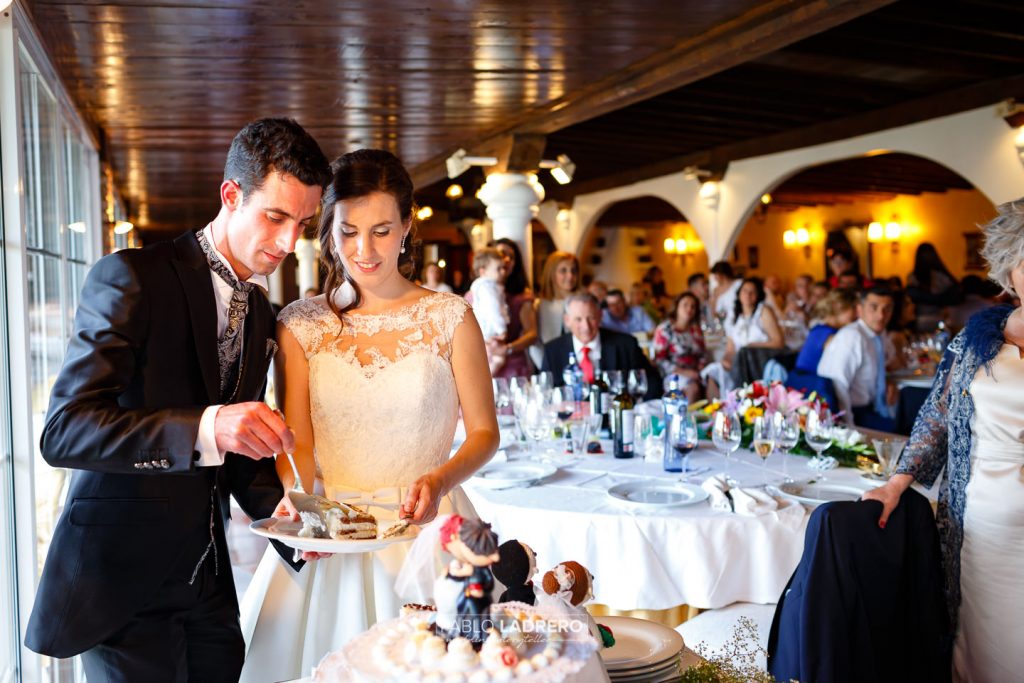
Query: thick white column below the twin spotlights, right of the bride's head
[513,201]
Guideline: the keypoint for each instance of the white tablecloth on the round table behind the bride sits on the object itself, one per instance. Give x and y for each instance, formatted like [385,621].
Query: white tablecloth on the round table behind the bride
[659,560]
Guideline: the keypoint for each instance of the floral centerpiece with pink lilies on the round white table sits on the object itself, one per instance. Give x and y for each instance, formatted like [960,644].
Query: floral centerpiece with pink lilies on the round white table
[757,399]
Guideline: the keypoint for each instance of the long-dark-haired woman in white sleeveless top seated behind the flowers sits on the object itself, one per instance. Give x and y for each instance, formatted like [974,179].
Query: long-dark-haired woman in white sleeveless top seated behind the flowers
[752,324]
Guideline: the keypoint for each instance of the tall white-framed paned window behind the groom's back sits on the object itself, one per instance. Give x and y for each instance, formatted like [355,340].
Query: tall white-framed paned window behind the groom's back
[59,172]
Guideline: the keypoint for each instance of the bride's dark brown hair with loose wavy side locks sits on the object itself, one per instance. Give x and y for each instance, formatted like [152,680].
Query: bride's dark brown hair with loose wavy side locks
[359,175]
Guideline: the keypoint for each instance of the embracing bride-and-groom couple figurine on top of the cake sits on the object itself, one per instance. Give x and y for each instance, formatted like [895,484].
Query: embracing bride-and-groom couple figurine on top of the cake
[468,580]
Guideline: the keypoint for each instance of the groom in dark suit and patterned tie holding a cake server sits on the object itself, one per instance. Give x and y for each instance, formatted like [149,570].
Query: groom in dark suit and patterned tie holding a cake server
[158,410]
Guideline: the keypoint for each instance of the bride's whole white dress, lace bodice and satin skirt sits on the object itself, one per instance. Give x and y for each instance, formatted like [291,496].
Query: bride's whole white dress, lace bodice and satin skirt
[385,409]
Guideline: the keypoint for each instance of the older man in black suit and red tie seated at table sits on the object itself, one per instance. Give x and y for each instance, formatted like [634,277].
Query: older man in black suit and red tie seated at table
[596,350]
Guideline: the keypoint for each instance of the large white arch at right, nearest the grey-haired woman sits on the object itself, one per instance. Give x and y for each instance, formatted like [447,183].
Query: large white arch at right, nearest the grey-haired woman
[977,145]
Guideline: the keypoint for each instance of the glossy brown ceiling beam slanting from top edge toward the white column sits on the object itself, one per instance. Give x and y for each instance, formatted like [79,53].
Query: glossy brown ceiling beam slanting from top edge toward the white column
[771,27]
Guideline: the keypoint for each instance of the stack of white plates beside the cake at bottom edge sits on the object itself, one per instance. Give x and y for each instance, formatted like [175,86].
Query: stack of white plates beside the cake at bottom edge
[645,652]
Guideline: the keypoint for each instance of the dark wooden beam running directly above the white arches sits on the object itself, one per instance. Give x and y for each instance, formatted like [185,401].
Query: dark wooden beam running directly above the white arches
[915,111]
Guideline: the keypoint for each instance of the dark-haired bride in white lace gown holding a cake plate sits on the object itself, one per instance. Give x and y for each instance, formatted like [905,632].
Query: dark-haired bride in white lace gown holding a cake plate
[374,373]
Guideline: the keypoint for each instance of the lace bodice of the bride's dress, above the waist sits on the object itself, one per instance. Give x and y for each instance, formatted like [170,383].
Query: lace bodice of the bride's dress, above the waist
[382,395]
